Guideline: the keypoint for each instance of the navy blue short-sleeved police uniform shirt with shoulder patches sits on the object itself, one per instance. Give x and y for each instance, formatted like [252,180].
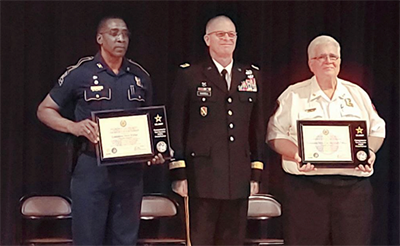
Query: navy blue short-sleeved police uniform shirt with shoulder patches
[93,86]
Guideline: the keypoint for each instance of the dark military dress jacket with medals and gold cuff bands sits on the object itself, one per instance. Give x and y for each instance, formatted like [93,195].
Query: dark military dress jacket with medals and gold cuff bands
[217,135]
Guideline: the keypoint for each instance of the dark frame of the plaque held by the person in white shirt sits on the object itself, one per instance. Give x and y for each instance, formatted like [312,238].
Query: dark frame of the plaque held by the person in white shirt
[358,140]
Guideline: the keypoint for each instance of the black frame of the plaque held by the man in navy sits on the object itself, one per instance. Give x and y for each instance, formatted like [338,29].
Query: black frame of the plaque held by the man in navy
[158,131]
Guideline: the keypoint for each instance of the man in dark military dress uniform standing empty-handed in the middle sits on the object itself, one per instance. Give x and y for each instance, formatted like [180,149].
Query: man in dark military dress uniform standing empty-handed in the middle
[217,129]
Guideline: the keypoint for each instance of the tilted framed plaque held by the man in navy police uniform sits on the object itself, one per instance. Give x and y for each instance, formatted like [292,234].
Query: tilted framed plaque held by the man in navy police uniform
[131,136]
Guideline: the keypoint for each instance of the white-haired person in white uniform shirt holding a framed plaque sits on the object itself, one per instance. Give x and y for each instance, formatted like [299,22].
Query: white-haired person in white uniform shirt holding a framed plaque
[324,206]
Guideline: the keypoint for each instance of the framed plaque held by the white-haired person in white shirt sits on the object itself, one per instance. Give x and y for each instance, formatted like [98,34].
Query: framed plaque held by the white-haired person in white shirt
[333,144]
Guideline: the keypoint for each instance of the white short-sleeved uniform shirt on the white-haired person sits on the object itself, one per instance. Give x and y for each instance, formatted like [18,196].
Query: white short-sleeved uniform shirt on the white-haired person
[306,101]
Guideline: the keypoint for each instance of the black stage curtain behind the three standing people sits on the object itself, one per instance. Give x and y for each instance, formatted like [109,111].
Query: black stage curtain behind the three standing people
[40,38]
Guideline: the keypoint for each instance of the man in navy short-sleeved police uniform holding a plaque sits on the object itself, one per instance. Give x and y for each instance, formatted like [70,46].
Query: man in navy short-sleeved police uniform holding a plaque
[106,200]
